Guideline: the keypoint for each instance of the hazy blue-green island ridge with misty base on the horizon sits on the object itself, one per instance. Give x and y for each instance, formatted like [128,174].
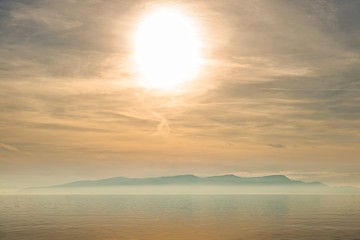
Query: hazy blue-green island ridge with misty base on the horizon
[191,184]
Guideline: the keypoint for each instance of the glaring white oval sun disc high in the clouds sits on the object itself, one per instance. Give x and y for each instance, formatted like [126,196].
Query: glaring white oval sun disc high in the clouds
[167,49]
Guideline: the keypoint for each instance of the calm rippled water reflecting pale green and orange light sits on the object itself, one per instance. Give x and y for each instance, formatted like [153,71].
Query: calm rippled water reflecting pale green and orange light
[174,217]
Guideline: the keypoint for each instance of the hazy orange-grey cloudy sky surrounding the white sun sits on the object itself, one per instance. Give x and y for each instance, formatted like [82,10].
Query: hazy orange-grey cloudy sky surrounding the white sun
[278,93]
